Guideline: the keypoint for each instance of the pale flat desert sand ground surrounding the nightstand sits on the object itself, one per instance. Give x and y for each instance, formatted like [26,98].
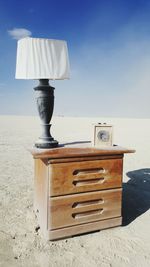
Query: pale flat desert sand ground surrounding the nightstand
[21,245]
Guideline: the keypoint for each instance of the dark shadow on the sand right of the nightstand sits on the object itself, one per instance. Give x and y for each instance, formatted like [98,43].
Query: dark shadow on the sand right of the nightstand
[136,195]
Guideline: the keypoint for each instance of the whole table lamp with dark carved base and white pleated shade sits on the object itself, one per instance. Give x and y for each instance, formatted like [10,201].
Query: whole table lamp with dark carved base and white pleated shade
[43,59]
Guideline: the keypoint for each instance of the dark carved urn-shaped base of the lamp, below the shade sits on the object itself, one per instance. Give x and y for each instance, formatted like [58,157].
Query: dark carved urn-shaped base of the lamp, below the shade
[45,106]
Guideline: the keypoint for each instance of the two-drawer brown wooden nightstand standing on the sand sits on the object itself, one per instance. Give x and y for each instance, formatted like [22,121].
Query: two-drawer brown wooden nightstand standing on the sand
[78,190]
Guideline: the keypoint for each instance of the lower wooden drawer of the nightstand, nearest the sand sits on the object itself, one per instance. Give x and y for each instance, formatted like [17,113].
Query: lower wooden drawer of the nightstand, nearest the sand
[83,208]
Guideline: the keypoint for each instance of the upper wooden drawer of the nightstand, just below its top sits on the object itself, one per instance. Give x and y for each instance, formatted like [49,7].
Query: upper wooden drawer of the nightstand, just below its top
[84,176]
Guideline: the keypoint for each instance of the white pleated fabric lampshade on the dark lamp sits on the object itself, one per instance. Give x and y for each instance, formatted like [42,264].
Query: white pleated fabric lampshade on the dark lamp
[39,58]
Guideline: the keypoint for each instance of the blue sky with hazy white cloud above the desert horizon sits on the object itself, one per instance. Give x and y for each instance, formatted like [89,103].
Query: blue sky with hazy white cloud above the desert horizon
[109,53]
